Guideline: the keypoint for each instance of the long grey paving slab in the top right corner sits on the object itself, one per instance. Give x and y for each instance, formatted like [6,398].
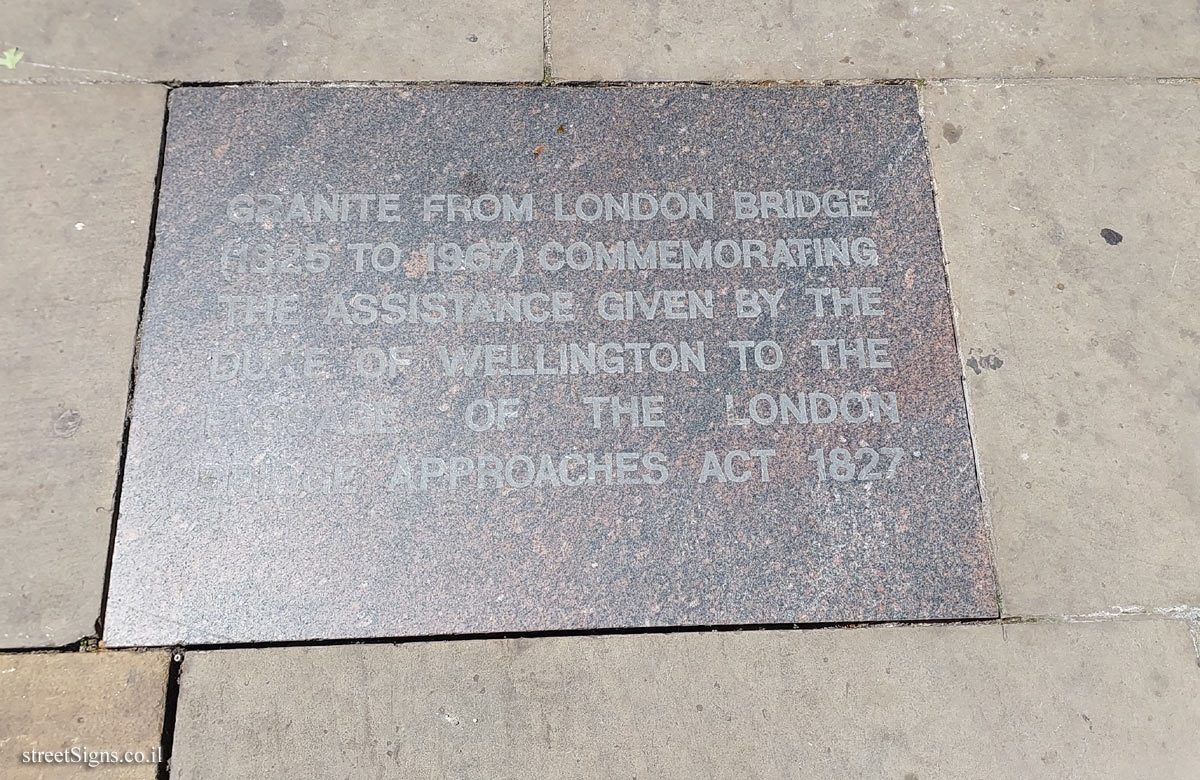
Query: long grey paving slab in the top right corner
[627,40]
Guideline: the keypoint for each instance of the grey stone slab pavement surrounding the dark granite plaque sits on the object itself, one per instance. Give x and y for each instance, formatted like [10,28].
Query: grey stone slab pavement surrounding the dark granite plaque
[1066,159]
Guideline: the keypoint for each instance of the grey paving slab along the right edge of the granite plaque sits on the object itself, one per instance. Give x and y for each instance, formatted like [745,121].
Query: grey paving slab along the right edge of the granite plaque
[1072,255]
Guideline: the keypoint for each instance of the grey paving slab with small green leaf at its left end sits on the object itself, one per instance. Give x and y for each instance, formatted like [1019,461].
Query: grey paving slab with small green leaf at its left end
[274,40]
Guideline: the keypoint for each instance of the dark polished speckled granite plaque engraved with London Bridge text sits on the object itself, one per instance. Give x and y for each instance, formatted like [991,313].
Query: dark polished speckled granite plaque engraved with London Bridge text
[293,506]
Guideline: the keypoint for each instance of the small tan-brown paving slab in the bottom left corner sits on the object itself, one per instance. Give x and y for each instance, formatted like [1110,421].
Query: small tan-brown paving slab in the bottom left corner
[93,712]
